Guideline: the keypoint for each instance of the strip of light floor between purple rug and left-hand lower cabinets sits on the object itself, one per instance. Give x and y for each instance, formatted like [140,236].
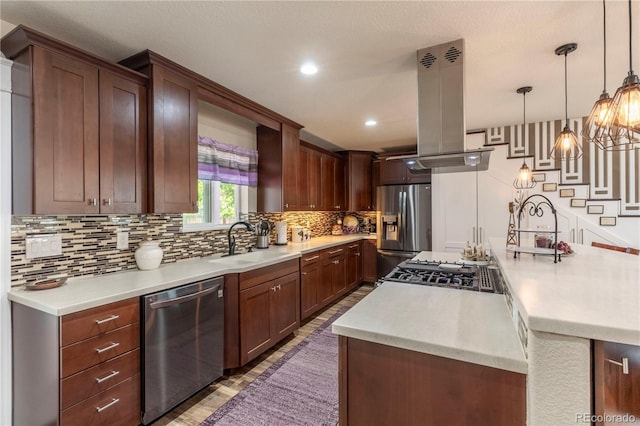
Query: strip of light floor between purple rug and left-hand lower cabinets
[200,406]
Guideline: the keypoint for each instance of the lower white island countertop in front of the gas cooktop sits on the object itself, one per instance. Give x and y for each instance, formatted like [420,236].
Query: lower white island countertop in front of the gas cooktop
[458,324]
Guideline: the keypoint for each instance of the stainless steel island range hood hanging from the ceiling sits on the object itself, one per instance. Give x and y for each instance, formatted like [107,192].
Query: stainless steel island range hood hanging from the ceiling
[441,113]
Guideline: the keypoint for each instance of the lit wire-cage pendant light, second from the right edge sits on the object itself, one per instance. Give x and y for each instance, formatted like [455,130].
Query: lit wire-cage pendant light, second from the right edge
[596,128]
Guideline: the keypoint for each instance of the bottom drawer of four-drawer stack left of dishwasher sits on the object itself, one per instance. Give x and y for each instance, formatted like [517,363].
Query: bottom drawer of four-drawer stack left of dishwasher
[119,405]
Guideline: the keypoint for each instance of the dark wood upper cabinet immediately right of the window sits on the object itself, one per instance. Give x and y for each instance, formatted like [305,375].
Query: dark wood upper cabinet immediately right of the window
[278,153]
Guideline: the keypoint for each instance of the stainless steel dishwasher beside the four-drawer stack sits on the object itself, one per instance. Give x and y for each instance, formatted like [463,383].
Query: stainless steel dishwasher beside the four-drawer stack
[182,344]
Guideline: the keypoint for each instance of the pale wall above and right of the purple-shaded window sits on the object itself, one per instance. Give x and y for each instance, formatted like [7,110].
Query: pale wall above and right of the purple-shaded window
[226,127]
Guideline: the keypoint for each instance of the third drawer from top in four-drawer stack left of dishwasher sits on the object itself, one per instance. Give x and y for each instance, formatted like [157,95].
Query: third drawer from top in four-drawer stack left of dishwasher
[97,379]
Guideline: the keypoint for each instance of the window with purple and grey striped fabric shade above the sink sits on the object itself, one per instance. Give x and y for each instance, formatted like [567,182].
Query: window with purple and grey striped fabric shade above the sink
[224,173]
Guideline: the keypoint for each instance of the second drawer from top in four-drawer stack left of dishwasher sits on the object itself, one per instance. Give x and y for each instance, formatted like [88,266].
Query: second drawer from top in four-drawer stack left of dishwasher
[98,349]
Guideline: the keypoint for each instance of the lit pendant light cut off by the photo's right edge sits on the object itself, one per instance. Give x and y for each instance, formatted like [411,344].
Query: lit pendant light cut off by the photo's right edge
[625,108]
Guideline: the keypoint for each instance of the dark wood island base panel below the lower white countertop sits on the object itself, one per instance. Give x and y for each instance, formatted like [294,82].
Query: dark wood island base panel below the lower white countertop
[384,385]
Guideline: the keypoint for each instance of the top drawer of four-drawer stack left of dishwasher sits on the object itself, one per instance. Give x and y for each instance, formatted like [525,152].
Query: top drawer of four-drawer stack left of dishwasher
[91,322]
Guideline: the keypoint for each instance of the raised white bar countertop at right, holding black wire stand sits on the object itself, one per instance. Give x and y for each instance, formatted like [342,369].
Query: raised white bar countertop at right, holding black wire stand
[594,293]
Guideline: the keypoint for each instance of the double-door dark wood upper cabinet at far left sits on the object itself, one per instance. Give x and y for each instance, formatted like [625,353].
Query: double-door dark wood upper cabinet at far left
[79,129]
